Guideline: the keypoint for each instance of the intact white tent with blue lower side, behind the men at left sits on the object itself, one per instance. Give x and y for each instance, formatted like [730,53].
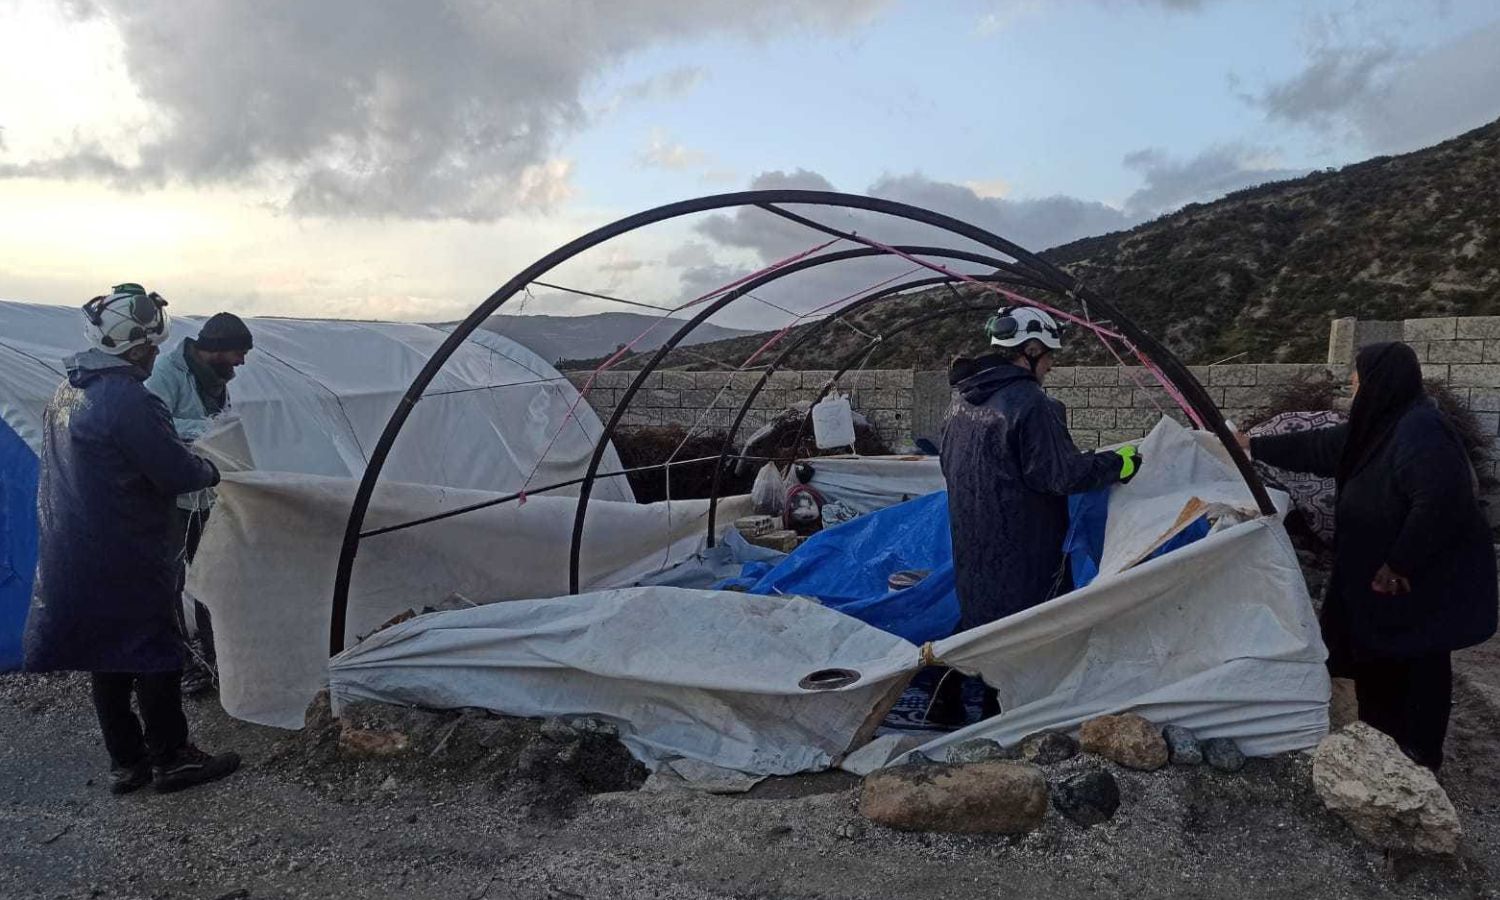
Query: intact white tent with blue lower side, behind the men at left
[314,400]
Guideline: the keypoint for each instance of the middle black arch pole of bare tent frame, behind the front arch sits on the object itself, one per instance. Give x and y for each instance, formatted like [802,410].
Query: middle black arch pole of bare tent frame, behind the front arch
[623,406]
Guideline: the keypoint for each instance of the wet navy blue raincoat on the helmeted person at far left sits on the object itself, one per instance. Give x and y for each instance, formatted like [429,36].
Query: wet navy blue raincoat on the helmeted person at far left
[112,472]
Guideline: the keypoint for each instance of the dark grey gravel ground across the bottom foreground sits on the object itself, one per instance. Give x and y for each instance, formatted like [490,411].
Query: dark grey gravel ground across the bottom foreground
[292,827]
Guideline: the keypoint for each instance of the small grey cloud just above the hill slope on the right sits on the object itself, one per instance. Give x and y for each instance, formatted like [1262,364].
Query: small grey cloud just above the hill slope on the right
[1171,184]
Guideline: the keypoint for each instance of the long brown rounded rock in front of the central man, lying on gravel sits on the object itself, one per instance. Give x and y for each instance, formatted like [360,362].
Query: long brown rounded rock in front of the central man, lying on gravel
[989,797]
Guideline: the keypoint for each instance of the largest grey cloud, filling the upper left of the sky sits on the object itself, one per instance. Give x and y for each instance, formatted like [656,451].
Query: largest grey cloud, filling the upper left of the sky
[415,110]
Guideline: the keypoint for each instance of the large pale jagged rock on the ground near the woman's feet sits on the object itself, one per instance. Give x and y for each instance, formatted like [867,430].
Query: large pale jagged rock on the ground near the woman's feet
[1387,799]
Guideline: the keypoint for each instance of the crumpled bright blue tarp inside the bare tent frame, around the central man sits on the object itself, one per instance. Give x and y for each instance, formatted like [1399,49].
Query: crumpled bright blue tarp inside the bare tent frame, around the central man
[848,568]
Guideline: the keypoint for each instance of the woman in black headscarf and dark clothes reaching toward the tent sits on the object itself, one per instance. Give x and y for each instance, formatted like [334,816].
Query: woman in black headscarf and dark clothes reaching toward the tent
[1414,560]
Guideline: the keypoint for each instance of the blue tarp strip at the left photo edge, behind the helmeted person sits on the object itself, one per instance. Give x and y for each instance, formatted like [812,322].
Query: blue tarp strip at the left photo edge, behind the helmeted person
[19,470]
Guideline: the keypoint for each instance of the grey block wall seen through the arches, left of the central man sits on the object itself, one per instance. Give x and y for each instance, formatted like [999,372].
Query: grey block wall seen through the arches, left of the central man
[709,401]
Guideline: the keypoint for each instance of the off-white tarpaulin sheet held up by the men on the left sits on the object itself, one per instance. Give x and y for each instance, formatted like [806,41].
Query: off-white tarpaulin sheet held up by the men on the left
[268,562]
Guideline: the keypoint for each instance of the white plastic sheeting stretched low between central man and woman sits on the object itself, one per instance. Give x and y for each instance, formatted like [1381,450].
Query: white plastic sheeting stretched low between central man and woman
[1219,637]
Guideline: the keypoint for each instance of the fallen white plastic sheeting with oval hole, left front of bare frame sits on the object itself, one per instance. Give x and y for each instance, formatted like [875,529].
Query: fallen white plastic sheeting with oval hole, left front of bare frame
[712,677]
